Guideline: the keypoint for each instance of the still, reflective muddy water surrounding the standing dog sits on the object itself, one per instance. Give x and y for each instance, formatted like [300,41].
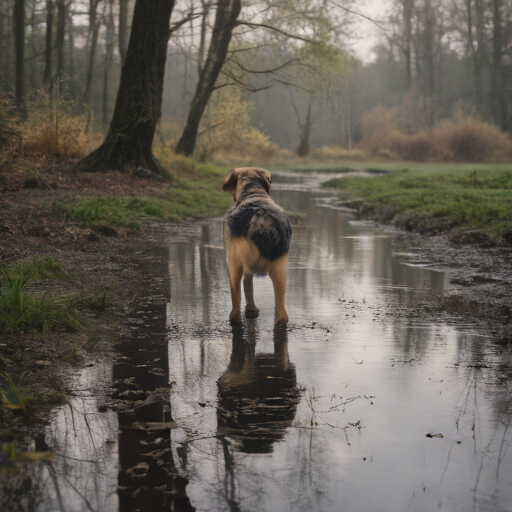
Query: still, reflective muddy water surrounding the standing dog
[361,404]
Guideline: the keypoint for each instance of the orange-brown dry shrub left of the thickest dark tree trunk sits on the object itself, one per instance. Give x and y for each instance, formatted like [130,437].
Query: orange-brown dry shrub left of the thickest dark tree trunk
[53,130]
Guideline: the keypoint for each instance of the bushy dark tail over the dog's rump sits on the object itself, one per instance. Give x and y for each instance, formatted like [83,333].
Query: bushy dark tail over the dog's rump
[270,231]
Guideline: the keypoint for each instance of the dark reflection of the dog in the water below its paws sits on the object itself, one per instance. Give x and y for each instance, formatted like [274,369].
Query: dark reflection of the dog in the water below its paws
[258,393]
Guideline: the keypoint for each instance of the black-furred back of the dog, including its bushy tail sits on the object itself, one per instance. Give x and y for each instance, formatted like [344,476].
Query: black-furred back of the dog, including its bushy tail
[263,223]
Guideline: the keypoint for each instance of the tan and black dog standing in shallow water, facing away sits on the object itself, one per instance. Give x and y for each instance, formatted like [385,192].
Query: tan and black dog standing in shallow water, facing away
[257,235]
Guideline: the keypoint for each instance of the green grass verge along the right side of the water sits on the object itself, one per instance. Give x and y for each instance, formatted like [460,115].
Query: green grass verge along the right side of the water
[437,197]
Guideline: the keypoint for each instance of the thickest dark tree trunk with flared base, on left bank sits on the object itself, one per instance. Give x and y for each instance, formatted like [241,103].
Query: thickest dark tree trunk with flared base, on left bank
[139,99]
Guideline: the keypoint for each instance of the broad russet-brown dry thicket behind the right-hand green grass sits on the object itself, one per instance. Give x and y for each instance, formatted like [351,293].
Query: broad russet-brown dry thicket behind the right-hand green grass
[389,132]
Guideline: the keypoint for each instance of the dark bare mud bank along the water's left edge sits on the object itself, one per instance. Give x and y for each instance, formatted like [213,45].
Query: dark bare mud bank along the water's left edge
[42,365]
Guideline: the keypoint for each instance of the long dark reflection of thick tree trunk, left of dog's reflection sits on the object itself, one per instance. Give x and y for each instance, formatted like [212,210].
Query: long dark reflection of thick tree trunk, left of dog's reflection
[148,480]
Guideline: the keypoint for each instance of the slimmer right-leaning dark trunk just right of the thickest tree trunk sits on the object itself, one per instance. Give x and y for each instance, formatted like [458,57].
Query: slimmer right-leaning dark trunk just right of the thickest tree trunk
[225,21]
